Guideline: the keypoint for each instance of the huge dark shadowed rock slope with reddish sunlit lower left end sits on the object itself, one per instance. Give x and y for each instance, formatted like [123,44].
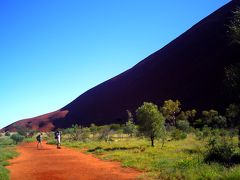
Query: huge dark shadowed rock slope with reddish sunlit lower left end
[190,68]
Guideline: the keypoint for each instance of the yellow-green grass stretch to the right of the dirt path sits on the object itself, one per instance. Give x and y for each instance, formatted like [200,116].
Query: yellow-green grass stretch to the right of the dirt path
[181,159]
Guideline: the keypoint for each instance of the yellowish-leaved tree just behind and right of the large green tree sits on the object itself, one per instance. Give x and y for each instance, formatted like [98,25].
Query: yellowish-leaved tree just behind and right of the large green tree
[170,109]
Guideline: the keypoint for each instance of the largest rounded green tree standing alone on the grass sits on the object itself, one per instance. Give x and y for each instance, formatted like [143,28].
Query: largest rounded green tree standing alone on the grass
[151,121]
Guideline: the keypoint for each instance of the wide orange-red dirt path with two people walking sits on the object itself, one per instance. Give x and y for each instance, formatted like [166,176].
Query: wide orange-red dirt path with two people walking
[50,163]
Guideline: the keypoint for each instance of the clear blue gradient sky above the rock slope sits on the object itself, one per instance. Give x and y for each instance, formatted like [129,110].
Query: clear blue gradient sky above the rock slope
[52,51]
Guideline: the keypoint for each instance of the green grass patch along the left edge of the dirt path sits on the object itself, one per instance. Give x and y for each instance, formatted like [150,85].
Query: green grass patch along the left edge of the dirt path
[7,151]
